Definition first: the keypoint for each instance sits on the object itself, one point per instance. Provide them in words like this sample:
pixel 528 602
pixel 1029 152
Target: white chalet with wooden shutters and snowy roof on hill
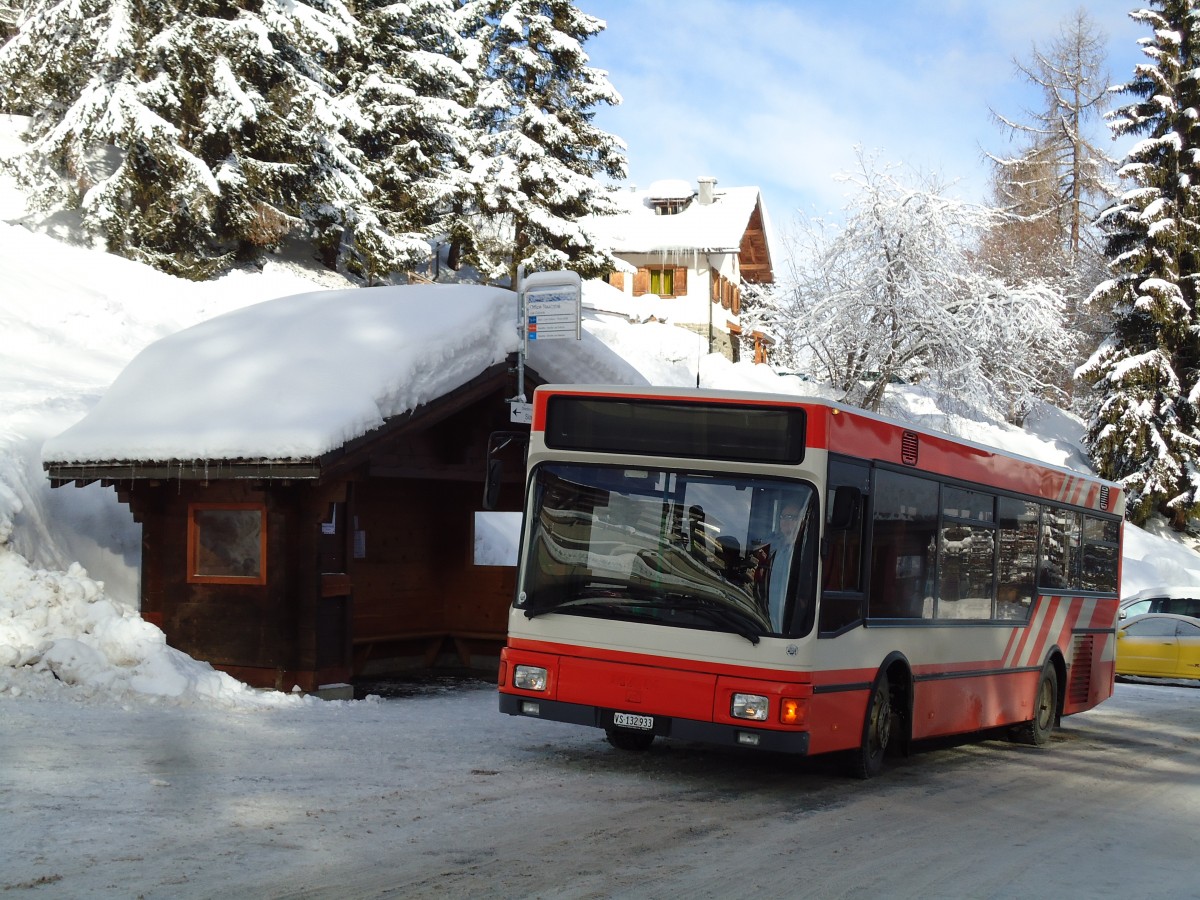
pixel 687 253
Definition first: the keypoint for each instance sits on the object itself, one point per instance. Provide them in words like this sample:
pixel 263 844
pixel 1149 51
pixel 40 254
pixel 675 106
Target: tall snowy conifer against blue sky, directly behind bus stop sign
pixel 538 157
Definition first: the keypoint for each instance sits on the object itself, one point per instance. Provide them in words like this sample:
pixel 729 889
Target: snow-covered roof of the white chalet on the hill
pixel 712 227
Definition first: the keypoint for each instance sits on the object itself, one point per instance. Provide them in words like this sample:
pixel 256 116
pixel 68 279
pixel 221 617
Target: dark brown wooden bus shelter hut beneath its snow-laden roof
pixel 314 572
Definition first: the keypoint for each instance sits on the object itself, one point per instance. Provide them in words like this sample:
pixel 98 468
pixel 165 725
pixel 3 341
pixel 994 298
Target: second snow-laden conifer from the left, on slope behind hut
pixel 263 86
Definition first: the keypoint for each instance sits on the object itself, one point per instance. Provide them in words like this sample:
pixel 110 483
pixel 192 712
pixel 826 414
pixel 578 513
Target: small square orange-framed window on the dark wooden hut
pixel 227 543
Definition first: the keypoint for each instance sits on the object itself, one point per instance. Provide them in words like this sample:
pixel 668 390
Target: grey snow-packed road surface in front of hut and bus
pixel 442 796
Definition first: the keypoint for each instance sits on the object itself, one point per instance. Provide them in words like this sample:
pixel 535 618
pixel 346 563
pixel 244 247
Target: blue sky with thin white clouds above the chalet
pixel 779 93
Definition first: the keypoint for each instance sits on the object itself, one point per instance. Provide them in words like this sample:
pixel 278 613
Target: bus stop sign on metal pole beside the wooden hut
pixel 550 308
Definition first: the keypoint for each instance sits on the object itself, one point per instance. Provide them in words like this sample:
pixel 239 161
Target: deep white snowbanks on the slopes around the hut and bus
pixel 71 321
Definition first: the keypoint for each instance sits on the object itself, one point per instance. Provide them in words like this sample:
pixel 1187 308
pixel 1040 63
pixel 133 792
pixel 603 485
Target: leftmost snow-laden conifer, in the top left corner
pixel 80 70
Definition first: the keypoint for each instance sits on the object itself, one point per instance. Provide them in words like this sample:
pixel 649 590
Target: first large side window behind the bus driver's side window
pixel 904 547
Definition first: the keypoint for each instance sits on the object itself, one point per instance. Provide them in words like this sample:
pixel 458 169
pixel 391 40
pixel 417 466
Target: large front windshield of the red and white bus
pixel 673 548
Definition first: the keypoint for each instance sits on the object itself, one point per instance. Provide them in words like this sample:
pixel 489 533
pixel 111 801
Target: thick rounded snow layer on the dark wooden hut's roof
pixel 299 376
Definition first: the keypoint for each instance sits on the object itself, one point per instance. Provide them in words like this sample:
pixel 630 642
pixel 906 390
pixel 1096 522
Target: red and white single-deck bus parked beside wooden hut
pixel 799 577
